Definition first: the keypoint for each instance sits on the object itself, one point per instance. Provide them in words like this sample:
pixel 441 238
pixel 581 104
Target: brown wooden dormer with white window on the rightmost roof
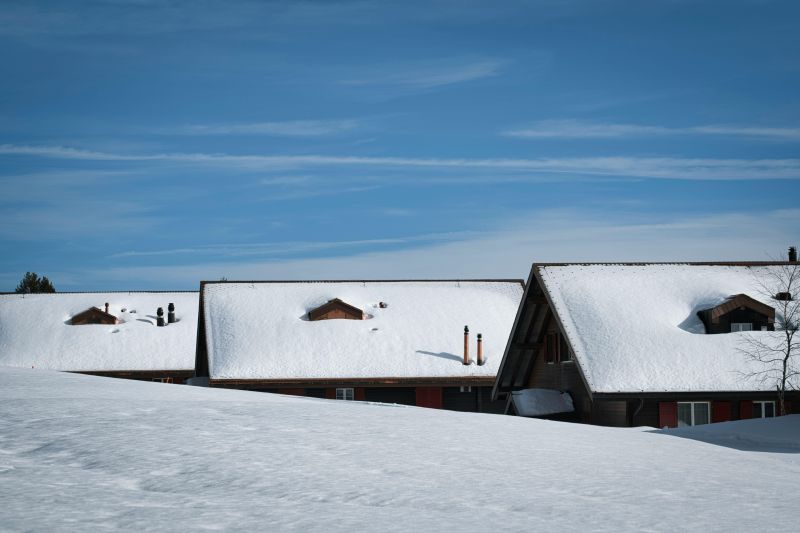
pixel 738 313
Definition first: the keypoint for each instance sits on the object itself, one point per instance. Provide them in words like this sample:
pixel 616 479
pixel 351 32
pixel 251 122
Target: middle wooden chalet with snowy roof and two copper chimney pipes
pixel 382 341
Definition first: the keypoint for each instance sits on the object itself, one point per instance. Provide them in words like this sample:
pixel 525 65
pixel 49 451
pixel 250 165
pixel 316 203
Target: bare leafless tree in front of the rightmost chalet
pixel 778 354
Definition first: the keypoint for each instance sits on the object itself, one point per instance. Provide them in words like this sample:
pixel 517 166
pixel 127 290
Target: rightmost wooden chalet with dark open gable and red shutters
pixel 644 344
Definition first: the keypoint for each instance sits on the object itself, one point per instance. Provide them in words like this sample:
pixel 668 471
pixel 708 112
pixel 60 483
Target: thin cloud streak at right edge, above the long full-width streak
pixel 577 129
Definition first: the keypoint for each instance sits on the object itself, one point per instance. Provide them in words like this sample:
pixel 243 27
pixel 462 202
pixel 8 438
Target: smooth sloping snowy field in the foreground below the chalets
pixel 84 453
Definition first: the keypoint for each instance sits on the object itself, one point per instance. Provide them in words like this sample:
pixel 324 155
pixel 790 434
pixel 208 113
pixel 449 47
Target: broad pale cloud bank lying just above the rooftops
pixel 557 235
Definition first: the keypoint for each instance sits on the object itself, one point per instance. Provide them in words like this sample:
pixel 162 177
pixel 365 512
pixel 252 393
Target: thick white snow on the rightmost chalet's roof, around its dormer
pixel 635 327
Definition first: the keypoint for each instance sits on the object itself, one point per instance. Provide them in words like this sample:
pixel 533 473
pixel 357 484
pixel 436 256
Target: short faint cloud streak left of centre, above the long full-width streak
pixel 291 128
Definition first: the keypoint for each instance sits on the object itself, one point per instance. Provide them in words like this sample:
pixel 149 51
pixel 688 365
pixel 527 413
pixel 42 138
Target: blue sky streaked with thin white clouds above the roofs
pixel 149 145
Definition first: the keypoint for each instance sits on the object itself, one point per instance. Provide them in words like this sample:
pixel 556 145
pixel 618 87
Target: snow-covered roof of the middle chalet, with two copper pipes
pixel 261 330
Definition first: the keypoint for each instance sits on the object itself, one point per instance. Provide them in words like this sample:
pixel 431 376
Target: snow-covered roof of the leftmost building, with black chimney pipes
pixel 35 332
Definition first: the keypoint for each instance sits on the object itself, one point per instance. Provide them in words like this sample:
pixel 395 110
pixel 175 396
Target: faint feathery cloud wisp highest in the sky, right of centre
pixel 429 74
